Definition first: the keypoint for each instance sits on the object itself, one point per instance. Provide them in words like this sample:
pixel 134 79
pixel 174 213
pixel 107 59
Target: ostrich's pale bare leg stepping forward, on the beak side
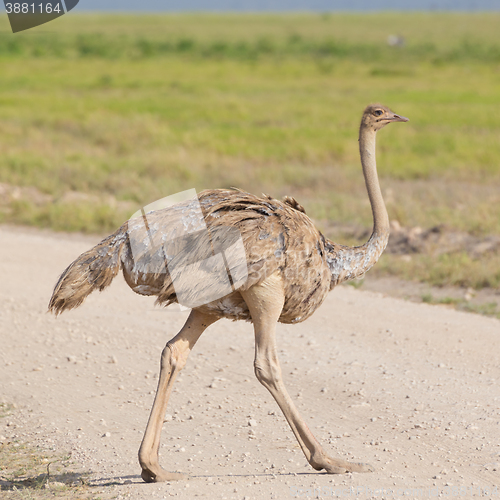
pixel 265 302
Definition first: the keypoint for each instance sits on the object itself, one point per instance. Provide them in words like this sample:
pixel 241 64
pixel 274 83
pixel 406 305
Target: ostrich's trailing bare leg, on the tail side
pixel 173 359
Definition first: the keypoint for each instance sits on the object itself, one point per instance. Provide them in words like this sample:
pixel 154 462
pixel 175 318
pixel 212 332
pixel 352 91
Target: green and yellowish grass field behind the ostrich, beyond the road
pixel 100 115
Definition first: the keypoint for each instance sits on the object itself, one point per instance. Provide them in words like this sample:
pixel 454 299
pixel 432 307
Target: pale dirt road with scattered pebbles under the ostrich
pixel 411 388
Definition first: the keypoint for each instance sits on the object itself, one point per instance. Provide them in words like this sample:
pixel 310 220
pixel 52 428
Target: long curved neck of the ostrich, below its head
pixel 351 262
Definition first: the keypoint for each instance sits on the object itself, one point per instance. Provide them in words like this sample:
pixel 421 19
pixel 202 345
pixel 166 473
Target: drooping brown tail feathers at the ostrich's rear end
pixel 93 270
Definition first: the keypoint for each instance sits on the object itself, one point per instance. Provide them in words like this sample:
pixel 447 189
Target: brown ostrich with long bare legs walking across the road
pixel 290 268
